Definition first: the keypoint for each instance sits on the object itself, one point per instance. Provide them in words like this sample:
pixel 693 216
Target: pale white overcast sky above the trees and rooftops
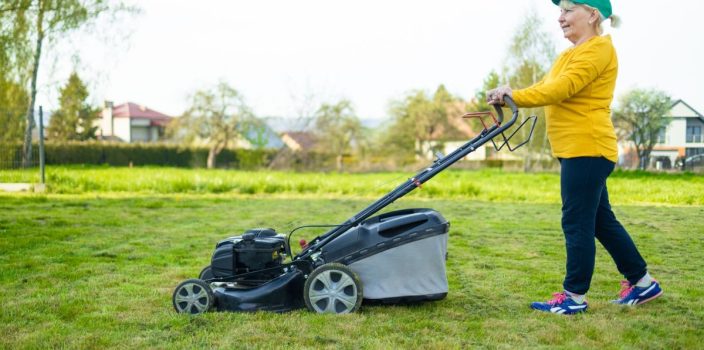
pixel 286 57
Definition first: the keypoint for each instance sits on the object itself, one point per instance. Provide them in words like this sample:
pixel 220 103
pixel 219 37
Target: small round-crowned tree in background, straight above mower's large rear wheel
pixel 337 129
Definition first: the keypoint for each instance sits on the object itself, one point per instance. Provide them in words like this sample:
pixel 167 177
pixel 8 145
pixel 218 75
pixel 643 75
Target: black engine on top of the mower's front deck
pixel 256 249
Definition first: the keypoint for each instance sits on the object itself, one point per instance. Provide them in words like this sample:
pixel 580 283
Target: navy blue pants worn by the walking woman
pixel 586 213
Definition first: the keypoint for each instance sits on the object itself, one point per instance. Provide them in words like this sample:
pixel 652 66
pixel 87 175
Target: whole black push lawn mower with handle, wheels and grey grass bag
pixel 398 256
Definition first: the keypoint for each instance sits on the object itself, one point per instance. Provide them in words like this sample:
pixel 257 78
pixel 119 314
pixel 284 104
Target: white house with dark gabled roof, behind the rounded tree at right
pixel 681 139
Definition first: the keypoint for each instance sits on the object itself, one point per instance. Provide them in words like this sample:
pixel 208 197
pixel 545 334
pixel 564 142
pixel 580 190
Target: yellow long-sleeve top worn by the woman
pixel 577 95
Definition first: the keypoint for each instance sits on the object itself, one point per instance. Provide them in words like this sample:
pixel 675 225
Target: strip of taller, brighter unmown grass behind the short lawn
pixel 485 185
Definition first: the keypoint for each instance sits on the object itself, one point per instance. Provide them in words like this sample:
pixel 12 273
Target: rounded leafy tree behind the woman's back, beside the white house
pixel 640 117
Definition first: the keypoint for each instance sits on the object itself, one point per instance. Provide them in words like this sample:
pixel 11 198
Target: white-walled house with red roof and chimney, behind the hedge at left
pixel 131 122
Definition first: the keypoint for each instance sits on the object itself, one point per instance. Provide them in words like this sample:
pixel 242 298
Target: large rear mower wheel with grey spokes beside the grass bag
pixel 333 288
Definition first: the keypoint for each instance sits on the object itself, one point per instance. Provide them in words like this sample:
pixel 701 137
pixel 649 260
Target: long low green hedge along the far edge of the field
pixel 140 154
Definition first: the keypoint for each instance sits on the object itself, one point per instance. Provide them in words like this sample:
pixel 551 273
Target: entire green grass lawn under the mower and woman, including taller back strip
pixel 95 266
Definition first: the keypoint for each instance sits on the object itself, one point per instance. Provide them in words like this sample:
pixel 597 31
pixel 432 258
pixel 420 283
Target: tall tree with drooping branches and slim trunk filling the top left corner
pixel 33 23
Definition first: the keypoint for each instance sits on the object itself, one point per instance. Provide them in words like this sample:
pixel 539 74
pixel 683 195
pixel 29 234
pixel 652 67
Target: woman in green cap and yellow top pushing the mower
pixel 577 94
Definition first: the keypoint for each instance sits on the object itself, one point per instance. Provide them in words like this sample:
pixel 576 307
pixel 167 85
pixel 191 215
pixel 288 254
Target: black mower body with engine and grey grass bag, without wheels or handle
pixel 399 257
